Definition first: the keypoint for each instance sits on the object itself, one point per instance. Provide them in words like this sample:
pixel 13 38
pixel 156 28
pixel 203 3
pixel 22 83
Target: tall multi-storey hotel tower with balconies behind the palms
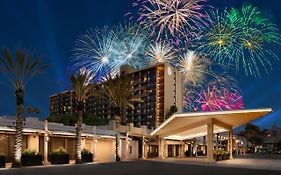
pixel 160 87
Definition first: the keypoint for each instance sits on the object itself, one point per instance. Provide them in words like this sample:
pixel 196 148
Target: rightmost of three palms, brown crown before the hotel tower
pixel 119 93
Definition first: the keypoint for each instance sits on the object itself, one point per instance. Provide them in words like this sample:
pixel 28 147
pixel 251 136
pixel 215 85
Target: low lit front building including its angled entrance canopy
pixel 182 135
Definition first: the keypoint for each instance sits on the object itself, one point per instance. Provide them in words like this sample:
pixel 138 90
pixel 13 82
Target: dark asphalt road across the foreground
pixel 139 167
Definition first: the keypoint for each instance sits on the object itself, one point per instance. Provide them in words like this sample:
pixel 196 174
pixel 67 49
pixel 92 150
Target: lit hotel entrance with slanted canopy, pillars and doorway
pixel 177 134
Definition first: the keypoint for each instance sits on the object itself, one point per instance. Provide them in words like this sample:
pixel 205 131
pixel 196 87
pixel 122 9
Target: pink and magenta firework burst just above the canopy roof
pixel 221 93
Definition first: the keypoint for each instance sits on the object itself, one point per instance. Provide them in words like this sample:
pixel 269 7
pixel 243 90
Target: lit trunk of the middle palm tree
pixel 78 136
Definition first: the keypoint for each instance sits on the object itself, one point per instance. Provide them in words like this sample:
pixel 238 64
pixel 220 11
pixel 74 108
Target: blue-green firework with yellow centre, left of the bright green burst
pixel 219 39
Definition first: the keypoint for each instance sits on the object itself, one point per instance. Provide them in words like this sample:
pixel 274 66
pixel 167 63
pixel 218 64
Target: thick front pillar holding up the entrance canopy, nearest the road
pixel 210 141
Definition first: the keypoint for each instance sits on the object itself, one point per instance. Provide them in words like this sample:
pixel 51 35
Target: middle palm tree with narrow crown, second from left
pixel 82 90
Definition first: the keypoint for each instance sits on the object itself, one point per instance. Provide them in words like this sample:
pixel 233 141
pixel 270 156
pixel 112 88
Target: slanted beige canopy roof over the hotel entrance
pixel 194 124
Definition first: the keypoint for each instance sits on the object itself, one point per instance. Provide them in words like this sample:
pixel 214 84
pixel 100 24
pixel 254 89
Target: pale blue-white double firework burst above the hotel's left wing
pixel 103 51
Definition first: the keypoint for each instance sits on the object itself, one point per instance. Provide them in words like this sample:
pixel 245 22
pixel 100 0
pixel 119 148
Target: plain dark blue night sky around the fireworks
pixel 51 27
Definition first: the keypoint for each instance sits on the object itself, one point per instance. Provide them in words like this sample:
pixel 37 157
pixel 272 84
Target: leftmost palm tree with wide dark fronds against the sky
pixel 19 69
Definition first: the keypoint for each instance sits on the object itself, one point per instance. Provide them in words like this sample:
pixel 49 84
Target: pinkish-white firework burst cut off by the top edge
pixel 170 17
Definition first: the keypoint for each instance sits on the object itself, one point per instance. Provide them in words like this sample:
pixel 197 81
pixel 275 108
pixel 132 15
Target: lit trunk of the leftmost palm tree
pixel 19 128
